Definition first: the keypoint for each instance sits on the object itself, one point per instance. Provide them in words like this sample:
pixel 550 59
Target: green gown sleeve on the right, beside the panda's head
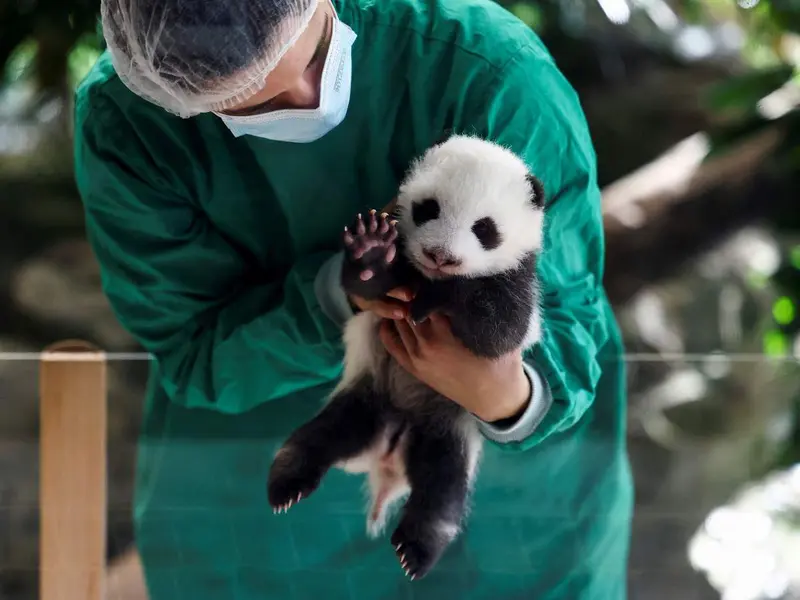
pixel 531 109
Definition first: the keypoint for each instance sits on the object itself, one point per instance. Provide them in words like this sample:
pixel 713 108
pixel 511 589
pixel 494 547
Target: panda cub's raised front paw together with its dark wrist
pixel 369 253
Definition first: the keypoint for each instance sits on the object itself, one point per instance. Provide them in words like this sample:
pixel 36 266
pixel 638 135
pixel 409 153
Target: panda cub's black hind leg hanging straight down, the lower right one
pixel 439 471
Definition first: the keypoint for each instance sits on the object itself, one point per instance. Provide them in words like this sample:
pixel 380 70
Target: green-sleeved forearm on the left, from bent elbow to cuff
pixel 263 344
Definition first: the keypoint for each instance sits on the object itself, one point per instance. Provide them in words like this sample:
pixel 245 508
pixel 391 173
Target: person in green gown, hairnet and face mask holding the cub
pixel 220 148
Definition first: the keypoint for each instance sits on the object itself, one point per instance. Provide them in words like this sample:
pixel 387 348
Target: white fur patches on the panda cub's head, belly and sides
pixel 470 178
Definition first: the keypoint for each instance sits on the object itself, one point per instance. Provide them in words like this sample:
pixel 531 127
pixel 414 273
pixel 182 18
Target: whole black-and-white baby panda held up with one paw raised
pixel 466 239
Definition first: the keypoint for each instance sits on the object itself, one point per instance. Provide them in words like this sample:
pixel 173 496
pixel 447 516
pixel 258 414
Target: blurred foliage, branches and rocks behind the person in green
pixel 693 105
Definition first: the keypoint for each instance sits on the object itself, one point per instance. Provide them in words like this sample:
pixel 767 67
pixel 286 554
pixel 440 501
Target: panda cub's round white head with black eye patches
pixel 469 208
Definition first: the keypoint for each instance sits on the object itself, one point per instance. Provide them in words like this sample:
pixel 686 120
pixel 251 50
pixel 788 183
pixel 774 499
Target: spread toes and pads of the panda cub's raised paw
pixel 370 243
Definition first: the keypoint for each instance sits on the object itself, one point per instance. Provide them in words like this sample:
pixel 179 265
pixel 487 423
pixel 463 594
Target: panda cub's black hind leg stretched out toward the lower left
pixel 346 427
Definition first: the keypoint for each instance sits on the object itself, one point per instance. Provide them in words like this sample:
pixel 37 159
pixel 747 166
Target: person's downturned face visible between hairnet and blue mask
pixel 295 81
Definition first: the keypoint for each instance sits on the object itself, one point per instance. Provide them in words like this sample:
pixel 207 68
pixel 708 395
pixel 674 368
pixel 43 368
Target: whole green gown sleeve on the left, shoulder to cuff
pixel 224 339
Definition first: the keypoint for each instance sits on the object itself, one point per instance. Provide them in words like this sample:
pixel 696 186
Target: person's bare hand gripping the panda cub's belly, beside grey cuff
pixel 490 389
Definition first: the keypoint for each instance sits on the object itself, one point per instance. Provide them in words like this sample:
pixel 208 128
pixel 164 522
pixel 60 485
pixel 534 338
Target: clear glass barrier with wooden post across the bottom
pixel 96 482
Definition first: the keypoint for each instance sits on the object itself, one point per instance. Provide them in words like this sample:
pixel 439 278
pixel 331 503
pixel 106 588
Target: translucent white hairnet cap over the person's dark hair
pixel 194 56
